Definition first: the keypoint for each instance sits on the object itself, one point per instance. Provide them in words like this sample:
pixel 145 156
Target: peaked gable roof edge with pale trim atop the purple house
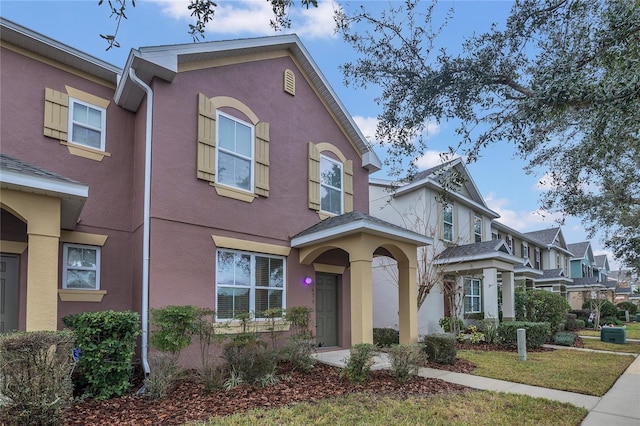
pixel 164 61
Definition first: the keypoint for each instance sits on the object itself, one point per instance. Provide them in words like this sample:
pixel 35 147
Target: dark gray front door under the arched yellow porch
pixel 326 310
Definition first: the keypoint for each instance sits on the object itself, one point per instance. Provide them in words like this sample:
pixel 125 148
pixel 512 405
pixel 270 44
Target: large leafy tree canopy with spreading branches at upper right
pixel 560 81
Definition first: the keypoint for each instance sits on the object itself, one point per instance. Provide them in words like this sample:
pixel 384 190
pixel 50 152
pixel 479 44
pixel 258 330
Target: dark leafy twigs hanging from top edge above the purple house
pixel 203 11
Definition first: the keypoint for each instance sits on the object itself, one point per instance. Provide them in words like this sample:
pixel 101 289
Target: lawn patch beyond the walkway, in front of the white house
pixel 588 373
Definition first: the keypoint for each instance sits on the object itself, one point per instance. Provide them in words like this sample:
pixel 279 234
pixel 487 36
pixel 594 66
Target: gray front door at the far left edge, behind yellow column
pixel 8 293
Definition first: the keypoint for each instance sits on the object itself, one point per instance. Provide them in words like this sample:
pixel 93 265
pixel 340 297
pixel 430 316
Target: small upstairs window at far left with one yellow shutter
pixel 87 124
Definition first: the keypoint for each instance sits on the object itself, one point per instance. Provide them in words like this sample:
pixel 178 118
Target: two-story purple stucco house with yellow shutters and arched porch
pixel 226 175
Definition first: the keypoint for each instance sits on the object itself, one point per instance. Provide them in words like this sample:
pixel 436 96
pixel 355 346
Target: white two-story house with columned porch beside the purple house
pixel 463 261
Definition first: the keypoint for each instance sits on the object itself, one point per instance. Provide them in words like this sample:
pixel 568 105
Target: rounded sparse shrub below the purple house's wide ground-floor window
pixel 250 359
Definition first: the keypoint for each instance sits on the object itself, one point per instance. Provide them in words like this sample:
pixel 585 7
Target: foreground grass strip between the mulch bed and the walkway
pixel 469 408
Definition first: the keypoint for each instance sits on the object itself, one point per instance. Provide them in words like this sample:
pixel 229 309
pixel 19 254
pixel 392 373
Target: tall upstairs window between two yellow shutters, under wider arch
pixel 235 152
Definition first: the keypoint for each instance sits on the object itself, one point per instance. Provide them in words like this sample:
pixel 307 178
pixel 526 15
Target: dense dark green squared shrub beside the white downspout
pixel 106 341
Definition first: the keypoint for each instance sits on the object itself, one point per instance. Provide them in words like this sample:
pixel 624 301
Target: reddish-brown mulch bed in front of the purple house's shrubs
pixel 188 402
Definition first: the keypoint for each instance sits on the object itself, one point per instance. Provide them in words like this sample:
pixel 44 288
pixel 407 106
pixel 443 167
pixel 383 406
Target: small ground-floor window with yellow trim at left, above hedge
pixel 81 267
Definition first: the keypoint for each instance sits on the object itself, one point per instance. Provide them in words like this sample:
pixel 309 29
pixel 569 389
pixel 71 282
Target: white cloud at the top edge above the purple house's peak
pixel 252 17
